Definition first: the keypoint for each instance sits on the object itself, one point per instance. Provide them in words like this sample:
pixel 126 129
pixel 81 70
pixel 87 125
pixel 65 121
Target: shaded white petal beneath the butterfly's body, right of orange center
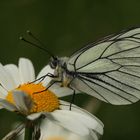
pixel 61 91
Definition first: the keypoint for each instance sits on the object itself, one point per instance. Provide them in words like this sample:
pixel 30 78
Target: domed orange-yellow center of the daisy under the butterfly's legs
pixel 44 101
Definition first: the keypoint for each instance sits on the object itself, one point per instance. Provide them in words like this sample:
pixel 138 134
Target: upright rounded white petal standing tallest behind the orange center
pixel 26 70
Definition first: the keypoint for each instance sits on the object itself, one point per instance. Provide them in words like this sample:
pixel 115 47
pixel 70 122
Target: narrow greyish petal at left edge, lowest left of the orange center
pixel 7 105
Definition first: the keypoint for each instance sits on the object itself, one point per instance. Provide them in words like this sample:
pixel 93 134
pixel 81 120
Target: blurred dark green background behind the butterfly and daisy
pixel 65 26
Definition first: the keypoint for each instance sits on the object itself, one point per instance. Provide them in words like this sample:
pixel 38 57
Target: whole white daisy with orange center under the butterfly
pixel 18 93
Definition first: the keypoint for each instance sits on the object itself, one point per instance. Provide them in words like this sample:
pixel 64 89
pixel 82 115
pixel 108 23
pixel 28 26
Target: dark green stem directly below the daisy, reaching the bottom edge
pixel 29 128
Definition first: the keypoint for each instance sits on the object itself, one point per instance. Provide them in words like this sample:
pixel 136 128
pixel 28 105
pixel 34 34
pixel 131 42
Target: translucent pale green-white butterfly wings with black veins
pixel 110 69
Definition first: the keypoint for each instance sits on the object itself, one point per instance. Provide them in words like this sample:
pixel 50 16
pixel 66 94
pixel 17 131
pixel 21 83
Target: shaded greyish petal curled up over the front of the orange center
pixel 22 101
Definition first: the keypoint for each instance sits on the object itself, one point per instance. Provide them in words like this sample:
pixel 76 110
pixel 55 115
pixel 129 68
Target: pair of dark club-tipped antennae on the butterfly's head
pixel 36 45
